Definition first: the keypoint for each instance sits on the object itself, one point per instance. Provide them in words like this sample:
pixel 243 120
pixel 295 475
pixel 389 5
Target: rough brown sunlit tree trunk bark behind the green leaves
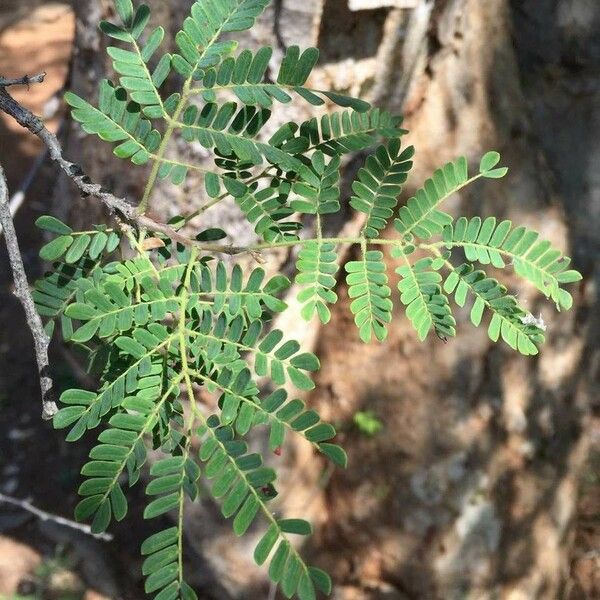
pixel 471 488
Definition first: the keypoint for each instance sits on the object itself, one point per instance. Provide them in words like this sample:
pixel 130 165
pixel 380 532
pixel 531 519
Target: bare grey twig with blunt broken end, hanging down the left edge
pixel 40 338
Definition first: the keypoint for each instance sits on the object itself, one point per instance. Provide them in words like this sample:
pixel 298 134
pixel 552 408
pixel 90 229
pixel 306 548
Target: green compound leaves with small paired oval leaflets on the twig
pixel 172 319
